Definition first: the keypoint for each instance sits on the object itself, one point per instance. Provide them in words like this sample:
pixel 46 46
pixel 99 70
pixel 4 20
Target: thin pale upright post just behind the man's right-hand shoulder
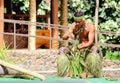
pixel 96 20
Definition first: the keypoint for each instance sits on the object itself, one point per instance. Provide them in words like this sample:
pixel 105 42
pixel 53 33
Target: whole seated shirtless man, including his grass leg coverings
pixel 84 32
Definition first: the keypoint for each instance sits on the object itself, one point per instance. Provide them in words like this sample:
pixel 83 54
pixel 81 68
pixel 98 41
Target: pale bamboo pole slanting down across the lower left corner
pixel 6 64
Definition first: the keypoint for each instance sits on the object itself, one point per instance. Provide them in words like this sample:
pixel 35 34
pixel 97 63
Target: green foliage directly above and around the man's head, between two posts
pixel 84 5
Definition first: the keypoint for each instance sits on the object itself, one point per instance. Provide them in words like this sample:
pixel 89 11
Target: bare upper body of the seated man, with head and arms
pixel 85 31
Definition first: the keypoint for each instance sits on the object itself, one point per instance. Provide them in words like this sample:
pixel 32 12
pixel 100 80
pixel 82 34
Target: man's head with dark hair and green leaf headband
pixel 78 18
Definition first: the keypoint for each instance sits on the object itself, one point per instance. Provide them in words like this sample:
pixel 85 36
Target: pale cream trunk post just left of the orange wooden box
pixel 32 28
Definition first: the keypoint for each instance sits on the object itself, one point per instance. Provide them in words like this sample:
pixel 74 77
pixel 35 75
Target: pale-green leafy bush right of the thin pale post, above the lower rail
pixel 109 19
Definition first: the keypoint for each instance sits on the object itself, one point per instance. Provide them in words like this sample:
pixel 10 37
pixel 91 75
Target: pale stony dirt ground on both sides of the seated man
pixel 44 61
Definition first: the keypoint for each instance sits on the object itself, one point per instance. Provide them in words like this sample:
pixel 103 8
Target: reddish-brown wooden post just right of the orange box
pixel 54 20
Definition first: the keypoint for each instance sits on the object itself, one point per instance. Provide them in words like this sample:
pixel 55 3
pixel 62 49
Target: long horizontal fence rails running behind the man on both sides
pixel 59 27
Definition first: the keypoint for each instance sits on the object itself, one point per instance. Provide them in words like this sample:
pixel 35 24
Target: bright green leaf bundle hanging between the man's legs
pixel 76 64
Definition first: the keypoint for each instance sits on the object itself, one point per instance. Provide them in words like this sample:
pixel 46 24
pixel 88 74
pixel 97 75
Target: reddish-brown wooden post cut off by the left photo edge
pixel 1 23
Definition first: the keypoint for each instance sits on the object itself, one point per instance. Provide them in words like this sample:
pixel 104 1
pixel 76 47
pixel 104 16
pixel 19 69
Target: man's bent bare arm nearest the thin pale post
pixel 91 36
